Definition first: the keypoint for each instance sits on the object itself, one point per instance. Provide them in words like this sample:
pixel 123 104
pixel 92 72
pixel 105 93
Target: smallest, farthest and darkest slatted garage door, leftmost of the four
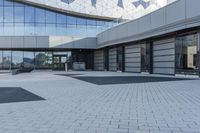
pixel 99 60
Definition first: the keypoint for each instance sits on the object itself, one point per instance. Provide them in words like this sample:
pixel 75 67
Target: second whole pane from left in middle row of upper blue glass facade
pixel 19 14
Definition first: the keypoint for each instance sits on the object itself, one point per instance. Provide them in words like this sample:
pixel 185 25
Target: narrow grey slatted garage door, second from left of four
pixel 113 59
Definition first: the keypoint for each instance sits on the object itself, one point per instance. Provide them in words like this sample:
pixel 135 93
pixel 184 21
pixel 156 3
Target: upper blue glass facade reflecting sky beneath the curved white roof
pixel 20 19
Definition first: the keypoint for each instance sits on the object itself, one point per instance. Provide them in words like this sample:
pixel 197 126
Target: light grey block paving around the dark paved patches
pixel 75 106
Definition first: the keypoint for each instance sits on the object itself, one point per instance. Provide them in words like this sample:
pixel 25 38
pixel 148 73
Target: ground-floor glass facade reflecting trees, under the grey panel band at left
pixel 29 59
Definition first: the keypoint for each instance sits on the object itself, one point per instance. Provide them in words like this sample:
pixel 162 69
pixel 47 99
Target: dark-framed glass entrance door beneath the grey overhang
pixel 59 62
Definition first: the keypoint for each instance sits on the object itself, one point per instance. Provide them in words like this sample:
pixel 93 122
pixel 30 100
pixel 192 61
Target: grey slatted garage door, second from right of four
pixel 133 58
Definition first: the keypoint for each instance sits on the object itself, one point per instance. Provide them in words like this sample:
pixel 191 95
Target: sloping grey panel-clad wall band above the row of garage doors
pixel 176 16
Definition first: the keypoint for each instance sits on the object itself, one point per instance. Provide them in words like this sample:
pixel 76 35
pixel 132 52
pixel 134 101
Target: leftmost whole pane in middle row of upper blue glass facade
pixel 8 14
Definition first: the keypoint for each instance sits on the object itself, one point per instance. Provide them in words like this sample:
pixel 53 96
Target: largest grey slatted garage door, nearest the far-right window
pixel 164 57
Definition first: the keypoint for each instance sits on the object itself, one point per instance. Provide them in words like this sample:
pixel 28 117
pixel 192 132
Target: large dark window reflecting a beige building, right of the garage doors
pixel 186 54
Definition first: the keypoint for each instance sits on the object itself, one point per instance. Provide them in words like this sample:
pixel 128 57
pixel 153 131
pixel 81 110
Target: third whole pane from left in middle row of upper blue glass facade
pixel 29 14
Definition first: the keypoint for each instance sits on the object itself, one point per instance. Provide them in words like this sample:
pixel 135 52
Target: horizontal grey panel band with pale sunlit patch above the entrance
pixel 12 42
